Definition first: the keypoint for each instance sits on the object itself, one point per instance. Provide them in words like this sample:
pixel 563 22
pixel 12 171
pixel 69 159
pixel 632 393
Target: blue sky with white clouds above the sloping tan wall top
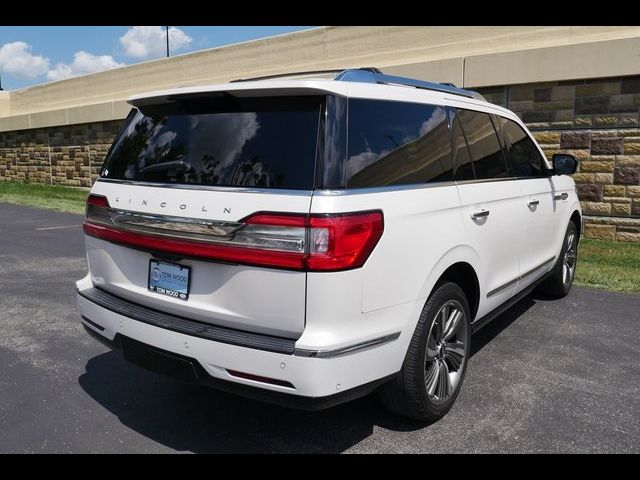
pixel 34 55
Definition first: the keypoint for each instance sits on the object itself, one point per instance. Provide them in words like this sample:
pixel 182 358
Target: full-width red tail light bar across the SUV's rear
pixel 289 241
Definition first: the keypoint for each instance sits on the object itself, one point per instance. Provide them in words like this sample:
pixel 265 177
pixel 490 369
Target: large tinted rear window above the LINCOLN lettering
pixel 221 141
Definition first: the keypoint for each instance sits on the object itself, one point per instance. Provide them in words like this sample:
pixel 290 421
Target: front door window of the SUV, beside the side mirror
pixel 522 155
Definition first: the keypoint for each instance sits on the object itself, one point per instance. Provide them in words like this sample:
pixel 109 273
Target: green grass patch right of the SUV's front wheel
pixel 609 265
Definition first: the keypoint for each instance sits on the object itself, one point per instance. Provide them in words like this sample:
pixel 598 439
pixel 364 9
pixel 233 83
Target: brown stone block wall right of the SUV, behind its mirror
pixel 597 122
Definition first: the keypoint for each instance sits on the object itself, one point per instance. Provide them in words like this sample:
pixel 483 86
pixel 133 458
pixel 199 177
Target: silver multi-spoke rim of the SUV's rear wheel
pixel 446 347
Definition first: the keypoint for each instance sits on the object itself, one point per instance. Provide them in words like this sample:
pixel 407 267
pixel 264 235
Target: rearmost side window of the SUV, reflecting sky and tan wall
pixel 394 143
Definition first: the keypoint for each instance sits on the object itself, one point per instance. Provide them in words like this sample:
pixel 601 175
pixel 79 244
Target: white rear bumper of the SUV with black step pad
pixel 297 379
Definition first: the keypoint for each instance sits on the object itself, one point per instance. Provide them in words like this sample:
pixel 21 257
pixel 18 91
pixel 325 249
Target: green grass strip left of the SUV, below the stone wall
pixel 54 197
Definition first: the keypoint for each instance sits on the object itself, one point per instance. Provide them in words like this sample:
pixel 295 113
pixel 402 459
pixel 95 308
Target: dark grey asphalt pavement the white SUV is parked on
pixel 547 376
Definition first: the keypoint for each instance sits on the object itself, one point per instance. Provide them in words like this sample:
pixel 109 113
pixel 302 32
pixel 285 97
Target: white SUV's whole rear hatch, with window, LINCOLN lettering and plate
pixel 193 191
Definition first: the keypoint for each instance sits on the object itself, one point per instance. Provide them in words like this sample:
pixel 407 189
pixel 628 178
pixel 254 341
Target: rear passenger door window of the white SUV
pixel 486 152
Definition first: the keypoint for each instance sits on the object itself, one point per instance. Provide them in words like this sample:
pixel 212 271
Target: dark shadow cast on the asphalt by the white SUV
pixel 198 419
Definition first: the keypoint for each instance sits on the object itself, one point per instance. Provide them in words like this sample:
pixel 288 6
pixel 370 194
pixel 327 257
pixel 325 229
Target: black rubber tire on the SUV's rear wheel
pixel 407 394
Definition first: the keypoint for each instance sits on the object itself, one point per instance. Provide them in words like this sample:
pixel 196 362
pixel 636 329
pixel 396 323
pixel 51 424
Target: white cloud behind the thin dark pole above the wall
pixel 150 42
